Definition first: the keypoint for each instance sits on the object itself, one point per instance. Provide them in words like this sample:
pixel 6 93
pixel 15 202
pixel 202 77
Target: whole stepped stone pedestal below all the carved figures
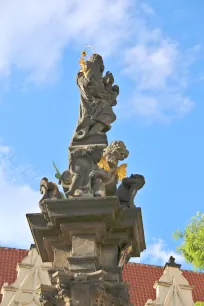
pixel 83 238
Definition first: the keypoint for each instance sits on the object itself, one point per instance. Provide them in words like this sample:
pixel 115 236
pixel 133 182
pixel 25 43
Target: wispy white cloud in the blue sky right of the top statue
pixel 161 72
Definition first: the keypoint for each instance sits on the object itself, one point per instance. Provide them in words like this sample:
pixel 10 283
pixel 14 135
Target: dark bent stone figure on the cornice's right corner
pixel 128 189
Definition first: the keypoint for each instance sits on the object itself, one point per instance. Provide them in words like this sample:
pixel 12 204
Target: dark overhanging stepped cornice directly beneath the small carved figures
pixel 67 217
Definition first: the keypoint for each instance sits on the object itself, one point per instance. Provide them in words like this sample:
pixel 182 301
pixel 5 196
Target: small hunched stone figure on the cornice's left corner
pixel 49 190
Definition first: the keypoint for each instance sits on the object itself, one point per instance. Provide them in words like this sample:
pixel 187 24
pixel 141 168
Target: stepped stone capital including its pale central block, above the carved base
pixel 86 227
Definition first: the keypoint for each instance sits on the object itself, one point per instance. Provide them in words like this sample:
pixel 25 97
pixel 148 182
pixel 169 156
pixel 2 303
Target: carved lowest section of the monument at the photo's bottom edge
pixel 85 289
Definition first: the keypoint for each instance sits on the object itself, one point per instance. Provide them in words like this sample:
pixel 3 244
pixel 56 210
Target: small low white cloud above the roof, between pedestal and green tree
pixel 158 253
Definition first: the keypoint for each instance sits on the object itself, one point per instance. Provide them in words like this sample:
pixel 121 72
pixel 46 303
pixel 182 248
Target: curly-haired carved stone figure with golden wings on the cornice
pixel 107 173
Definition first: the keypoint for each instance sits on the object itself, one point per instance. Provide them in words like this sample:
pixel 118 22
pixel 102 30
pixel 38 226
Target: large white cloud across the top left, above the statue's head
pixel 34 34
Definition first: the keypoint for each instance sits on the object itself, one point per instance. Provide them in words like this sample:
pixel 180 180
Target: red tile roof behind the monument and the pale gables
pixel 140 276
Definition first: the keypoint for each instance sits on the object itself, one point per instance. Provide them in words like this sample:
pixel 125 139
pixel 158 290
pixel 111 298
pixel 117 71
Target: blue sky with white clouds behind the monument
pixel 155 50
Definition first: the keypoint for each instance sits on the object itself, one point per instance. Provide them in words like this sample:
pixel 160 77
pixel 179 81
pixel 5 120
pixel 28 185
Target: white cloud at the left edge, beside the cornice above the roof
pixel 16 199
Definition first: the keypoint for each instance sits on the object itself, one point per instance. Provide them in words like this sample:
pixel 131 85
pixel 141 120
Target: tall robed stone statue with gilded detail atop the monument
pixel 97 98
